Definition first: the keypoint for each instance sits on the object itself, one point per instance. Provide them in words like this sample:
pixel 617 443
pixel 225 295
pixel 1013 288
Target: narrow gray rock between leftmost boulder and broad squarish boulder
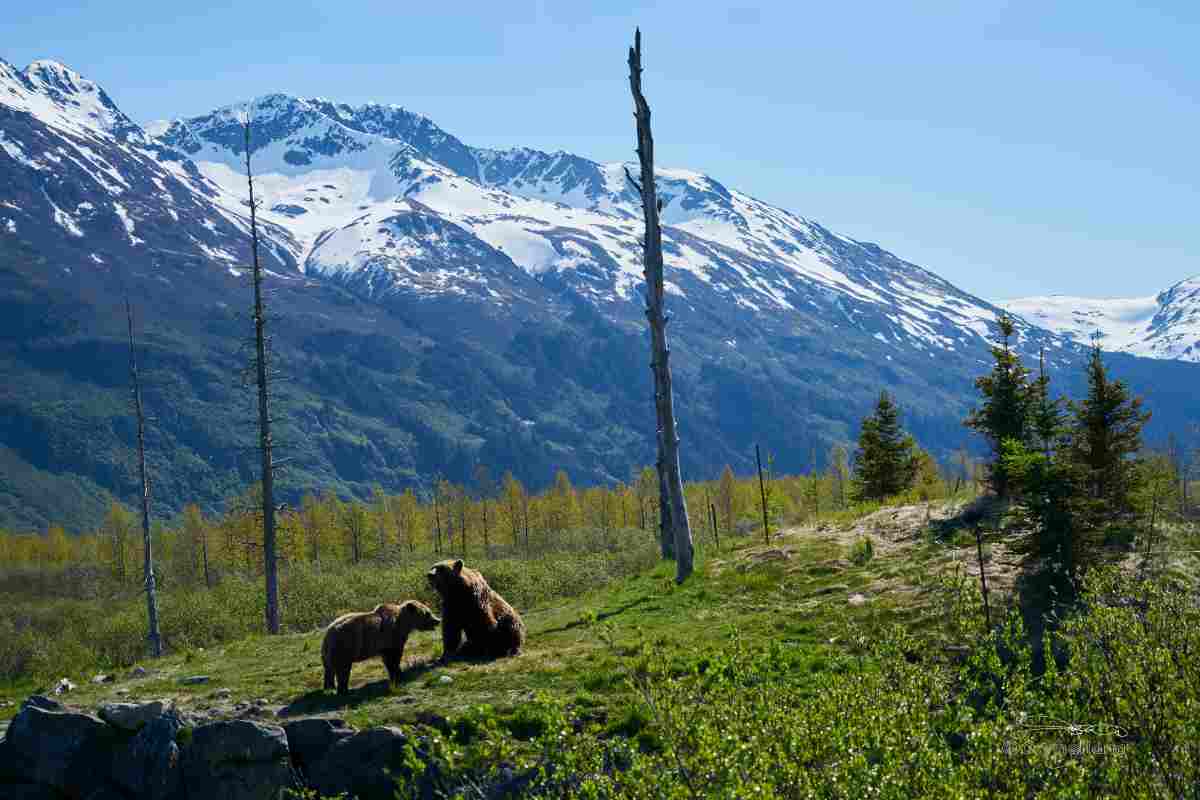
pixel 148 766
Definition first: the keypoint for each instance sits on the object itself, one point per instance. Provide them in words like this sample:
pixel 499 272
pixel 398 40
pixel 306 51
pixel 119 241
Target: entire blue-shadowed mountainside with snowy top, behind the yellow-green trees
pixel 437 306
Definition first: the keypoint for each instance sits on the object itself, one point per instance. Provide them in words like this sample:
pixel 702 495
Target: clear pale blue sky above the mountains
pixel 1015 148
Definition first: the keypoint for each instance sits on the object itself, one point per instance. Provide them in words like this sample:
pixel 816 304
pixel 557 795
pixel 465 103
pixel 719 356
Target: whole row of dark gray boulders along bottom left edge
pixel 153 751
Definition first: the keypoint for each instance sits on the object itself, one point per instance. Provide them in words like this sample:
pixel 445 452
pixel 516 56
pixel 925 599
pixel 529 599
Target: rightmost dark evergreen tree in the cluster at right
pixel 1106 432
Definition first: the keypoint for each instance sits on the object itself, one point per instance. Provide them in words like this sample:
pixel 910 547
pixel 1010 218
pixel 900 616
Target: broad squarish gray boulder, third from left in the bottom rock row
pixel 239 761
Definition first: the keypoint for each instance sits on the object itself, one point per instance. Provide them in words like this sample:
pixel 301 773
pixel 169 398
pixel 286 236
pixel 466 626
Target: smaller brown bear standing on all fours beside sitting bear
pixel 382 631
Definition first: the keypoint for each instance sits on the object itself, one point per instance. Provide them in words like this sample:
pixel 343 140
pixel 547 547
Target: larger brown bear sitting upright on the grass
pixel 471 607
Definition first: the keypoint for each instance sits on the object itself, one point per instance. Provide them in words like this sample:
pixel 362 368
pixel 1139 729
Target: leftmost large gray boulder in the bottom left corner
pixel 57 748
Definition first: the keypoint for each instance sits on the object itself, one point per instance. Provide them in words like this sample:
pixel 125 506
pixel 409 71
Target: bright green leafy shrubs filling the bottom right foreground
pixel 1114 717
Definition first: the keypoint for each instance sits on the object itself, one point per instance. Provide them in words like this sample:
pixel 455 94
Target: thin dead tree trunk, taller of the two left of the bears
pixel 271 567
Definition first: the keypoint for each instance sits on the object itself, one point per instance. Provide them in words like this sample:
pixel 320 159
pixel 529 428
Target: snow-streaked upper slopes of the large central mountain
pixel 334 176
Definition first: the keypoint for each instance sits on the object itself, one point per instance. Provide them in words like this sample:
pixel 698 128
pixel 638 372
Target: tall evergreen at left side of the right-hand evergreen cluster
pixel 1005 413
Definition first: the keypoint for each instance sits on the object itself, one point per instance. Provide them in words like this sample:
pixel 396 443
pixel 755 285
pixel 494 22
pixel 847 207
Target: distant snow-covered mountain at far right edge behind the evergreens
pixel 1166 326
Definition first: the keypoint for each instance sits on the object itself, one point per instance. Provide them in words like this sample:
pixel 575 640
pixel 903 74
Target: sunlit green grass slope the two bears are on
pixel 578 646
